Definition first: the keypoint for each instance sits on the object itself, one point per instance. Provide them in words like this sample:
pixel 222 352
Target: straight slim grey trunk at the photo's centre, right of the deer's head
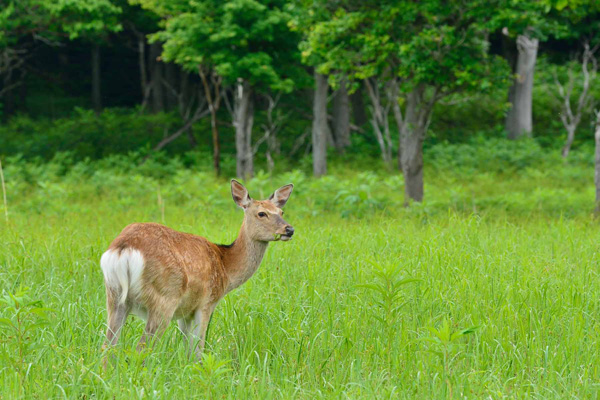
pixel 320 129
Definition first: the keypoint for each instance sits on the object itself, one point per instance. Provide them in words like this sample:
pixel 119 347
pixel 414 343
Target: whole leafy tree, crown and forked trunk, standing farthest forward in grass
pixel 426 51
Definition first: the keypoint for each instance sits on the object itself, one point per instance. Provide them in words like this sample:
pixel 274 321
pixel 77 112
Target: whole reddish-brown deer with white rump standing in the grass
pixel 160 274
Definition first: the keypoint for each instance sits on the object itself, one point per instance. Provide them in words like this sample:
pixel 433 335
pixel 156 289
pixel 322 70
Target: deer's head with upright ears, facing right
pixel 263 219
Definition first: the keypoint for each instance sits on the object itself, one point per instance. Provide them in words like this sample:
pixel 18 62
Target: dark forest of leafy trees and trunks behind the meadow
pixel 272 83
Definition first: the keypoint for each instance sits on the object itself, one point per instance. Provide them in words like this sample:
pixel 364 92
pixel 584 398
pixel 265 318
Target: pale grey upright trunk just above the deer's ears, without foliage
pixel 243 120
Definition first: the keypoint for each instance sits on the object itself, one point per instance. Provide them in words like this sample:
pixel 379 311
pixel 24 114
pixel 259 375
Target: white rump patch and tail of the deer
pixel 123 272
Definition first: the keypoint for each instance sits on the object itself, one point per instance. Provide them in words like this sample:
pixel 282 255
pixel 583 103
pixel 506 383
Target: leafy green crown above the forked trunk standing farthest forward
pixel 435 43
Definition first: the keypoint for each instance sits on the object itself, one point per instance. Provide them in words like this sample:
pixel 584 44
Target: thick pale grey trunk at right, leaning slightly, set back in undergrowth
pixel 518 119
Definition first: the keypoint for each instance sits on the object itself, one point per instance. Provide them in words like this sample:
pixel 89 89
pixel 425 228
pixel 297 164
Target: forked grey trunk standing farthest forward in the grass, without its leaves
pixel 413 132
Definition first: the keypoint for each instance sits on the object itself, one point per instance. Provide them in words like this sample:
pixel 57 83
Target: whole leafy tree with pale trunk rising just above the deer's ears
pixel 245 42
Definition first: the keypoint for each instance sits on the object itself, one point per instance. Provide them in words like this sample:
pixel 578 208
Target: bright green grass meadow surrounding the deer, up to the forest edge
pixel 490 289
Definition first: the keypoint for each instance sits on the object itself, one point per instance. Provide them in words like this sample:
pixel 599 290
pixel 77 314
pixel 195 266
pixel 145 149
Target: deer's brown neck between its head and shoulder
pixel 242 259
